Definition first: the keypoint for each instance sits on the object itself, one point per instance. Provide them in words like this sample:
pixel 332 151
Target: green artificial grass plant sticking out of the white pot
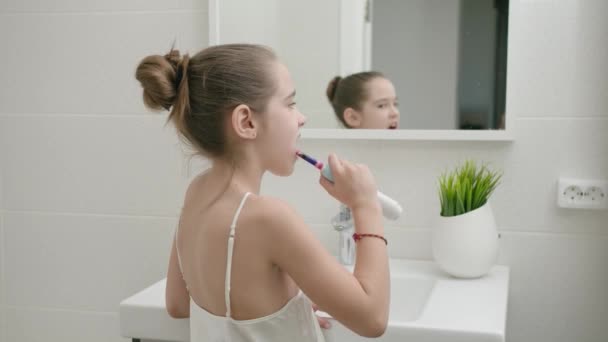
pixel 466 188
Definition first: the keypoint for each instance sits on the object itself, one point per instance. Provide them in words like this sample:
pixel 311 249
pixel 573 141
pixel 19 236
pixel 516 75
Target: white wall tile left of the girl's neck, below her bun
pixel 63 163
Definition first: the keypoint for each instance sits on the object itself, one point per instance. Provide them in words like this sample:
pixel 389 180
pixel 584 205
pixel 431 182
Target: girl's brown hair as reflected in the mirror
pixel 349 92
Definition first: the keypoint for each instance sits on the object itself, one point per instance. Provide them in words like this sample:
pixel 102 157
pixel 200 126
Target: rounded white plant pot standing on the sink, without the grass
pixel 466 246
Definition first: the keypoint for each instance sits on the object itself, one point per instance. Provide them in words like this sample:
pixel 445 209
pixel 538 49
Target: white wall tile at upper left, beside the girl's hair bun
pixel 84 63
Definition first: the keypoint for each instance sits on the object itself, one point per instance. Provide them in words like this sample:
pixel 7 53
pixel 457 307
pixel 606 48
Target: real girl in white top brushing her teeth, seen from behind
pixel 245 267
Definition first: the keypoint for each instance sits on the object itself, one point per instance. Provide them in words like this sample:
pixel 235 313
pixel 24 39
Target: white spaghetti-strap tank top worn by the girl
pixel 294 322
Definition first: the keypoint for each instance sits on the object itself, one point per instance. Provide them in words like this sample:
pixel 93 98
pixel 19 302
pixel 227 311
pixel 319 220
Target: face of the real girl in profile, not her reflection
pixel 281 124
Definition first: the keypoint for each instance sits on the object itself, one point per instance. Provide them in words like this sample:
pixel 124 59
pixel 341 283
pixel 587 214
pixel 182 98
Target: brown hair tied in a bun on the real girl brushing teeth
pixel 200 91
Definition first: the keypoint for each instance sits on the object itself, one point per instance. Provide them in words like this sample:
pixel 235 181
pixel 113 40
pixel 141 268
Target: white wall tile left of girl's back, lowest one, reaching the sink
pixel 82 262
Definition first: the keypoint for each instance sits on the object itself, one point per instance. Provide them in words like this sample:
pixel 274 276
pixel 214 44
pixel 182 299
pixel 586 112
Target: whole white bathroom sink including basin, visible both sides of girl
pixel 426 305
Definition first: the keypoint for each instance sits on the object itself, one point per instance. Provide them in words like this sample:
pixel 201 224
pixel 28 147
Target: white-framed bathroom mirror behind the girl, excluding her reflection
pixel 446 58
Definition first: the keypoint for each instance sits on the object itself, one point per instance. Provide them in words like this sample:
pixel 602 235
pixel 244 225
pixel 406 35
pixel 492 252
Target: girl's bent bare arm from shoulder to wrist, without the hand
pixel 360 301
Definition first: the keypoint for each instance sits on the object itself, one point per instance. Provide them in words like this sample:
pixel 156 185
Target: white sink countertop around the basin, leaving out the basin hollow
pixel 454 307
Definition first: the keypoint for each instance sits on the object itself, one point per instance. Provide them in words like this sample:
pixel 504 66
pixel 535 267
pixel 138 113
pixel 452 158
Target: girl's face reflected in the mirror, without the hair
pixel 380 109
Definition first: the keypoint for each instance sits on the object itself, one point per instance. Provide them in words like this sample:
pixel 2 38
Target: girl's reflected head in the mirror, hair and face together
pixel 364 100
